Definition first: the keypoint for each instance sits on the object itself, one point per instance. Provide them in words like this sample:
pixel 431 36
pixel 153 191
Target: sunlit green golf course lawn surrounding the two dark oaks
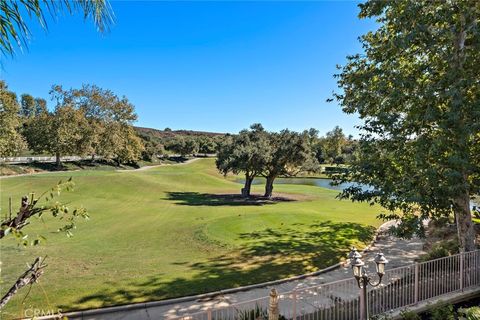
pixel 173 231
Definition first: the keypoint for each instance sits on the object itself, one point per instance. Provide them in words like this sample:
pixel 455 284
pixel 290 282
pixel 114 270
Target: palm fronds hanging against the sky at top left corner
pixel 16 14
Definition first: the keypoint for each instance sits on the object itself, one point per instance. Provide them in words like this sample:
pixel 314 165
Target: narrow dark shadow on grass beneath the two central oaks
pixel 210 199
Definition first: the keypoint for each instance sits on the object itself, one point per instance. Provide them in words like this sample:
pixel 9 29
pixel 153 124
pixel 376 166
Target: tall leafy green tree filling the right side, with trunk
pixel 418 91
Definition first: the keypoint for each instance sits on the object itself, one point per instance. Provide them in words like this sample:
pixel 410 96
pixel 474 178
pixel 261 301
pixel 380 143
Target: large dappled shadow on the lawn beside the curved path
pixel 266 255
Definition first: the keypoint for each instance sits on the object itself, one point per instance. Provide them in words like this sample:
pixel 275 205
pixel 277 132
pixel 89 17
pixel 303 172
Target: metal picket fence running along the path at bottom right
pixel 341 300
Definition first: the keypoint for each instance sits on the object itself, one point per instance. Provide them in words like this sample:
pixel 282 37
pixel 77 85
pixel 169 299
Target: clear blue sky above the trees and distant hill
pixel 213 66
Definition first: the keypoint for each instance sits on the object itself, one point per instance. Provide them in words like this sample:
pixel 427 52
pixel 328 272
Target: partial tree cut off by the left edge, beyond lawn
pixel 11 141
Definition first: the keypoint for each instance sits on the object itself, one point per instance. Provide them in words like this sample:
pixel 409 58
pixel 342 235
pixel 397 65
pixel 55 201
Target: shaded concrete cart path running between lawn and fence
pixel 398 251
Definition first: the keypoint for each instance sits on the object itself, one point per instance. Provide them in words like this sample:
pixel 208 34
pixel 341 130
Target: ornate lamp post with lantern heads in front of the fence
pixel 363 279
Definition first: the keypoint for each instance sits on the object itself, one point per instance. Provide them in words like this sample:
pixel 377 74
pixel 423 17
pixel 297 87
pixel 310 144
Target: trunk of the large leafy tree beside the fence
pixel 465 227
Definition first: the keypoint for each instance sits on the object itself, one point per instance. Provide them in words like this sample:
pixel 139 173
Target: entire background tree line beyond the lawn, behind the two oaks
pixel 91 121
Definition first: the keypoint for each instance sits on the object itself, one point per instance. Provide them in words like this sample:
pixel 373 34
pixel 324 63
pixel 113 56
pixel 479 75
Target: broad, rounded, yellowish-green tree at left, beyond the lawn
pixel 86 121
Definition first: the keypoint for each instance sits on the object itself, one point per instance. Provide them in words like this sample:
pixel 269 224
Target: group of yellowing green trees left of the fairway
pixel 86 121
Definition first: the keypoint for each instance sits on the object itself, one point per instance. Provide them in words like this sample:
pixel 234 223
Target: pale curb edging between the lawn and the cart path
pixel 146 305
